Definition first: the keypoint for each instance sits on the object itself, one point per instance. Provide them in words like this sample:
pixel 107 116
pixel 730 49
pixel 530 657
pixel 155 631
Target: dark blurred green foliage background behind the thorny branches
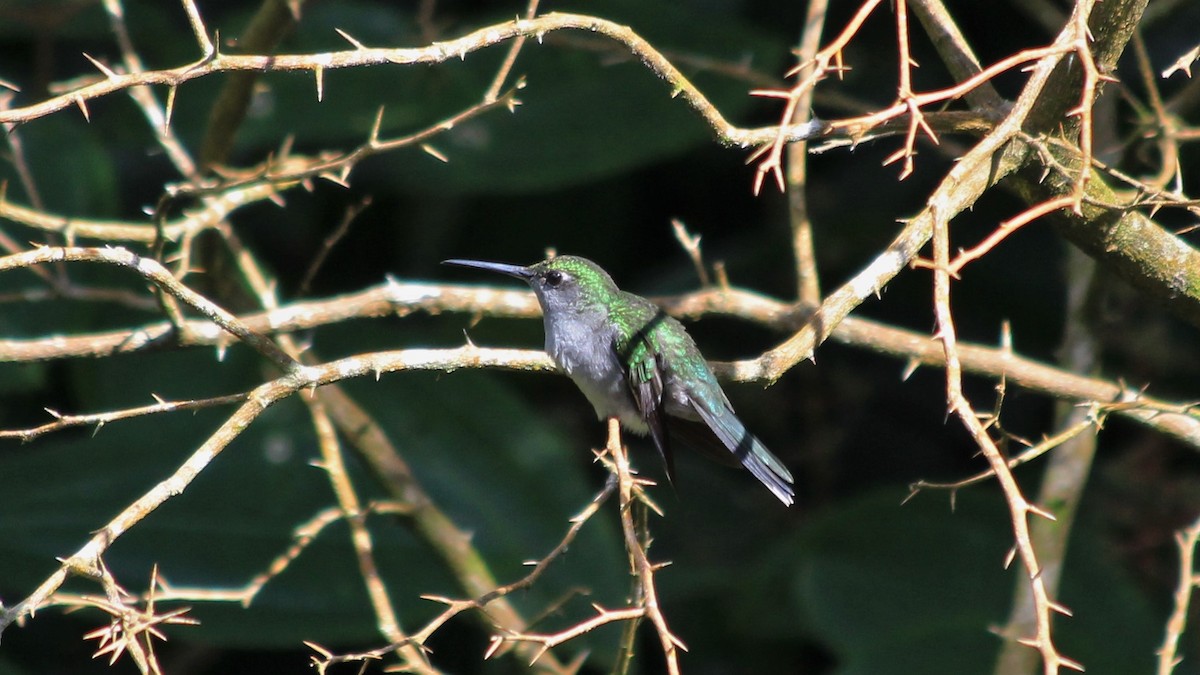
pixel 596 162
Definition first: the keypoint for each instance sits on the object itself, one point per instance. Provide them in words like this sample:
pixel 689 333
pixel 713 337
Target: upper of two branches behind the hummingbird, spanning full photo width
pixel 403 298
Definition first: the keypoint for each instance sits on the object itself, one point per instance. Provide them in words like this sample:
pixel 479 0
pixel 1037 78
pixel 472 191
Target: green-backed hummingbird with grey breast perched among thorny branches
pixel 638 365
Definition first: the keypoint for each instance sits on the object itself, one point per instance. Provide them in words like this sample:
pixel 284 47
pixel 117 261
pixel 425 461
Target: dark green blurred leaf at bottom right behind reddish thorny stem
pixel 919 588
